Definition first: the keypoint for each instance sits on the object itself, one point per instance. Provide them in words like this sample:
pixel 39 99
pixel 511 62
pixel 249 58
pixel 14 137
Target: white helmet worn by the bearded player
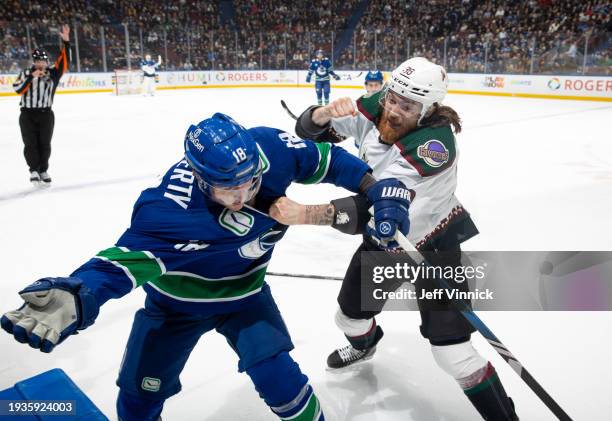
pixel 420 80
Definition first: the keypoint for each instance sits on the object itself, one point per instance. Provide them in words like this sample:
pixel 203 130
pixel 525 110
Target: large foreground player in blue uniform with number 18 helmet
pixel 199 244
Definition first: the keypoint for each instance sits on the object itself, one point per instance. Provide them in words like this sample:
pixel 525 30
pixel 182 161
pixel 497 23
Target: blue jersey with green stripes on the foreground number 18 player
pixel 194 255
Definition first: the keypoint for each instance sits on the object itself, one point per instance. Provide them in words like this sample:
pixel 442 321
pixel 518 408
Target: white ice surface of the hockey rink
pixel 535 175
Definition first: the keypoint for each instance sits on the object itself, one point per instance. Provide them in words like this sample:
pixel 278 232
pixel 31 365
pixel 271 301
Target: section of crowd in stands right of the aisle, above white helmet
pixel 505 31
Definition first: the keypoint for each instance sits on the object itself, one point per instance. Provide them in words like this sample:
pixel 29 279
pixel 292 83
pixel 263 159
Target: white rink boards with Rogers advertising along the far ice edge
pixel 527 86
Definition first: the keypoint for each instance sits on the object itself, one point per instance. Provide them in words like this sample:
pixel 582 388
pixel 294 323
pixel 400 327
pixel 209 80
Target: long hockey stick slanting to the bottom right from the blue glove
pixel 498 345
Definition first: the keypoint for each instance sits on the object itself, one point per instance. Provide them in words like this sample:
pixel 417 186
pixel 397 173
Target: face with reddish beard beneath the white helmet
pixel 399 117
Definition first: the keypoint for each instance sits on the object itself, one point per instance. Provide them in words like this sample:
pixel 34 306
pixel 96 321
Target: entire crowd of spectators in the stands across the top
pixel 494 36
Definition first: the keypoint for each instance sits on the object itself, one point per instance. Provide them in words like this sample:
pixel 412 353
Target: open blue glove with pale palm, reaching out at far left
pixel 54 309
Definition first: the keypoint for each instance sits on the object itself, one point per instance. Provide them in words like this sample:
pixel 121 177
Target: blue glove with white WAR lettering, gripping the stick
pixel 391 200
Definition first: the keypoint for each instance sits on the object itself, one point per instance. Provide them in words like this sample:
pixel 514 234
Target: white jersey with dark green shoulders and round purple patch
pixel 425 161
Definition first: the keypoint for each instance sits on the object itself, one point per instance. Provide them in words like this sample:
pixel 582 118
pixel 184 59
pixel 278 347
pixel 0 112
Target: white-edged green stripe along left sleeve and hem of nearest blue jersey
pixel 143 267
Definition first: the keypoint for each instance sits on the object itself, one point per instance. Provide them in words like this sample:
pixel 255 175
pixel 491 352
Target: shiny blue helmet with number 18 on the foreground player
pixel 221 153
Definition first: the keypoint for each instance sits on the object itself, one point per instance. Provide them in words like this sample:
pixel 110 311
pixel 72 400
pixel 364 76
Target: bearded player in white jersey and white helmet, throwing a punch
pixel 404 131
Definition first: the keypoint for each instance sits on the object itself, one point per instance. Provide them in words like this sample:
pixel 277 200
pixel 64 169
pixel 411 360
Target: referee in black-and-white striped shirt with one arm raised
pixel 37 86
